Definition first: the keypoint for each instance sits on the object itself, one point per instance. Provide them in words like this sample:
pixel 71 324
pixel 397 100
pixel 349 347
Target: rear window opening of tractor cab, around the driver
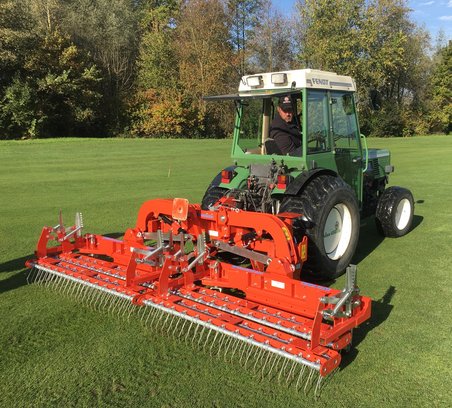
pixel 257 116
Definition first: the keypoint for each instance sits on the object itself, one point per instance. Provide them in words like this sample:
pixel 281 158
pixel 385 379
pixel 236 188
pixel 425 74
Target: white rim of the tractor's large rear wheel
pixel 337 232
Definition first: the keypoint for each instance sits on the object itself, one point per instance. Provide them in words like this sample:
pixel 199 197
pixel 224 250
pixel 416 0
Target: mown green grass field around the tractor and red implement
pixel 55 352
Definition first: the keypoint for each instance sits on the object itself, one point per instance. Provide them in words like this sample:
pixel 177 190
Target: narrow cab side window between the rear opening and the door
pixel 317 120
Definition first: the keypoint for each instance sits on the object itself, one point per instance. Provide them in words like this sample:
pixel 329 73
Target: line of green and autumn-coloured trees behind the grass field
pixel 140 68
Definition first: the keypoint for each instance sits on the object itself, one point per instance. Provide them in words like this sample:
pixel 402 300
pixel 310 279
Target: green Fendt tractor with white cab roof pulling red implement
pixel 333 180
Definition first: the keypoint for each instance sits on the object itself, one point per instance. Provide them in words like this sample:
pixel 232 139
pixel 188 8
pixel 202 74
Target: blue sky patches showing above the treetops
pixel 432 14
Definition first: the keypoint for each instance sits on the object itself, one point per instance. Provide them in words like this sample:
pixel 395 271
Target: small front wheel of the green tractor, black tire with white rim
pixel 394 214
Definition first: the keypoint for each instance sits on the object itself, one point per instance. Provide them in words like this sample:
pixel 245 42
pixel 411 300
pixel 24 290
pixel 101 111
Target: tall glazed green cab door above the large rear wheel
pixel 344 132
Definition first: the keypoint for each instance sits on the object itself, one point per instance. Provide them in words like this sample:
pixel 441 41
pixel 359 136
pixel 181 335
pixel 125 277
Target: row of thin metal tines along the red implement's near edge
pixel 262 361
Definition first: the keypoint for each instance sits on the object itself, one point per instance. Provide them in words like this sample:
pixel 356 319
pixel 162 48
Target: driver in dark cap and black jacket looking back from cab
pixel 284 130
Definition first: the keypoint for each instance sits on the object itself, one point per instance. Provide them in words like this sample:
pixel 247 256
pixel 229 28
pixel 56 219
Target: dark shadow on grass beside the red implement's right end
pixel 381 309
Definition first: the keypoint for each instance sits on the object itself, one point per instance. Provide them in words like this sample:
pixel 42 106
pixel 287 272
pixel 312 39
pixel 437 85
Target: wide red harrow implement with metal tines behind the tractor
pixel 224 278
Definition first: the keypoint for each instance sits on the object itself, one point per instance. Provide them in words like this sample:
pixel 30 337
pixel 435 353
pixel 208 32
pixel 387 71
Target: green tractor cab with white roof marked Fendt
pixel 323 108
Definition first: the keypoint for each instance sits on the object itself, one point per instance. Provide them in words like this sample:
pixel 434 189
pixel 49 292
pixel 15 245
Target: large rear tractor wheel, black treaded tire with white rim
pixel 327 201
